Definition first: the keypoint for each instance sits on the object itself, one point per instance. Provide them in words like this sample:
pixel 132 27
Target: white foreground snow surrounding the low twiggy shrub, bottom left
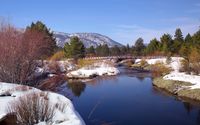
pixel 12 92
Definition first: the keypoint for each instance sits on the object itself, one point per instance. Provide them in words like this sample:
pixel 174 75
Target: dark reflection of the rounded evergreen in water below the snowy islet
pixel 77 87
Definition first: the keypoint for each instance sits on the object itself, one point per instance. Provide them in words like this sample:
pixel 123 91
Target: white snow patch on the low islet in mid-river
pixel 97 69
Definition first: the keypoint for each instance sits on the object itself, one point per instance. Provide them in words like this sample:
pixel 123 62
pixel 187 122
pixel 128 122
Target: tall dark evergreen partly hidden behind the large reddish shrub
pixel 41 27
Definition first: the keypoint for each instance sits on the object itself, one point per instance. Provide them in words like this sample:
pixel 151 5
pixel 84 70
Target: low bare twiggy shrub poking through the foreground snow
pixel 32 109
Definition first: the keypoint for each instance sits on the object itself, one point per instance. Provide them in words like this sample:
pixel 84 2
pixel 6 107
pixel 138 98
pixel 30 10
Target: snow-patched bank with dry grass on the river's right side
pixel 177 83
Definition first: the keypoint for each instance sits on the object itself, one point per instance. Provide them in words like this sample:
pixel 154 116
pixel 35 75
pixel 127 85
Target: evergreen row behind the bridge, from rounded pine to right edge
pixel 167 45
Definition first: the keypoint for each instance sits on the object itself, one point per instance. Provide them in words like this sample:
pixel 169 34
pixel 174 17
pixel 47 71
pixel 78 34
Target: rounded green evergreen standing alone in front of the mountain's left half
pixel 75 49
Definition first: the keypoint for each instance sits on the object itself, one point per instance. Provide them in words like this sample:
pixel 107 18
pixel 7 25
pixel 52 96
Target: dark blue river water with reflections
pixel 128 99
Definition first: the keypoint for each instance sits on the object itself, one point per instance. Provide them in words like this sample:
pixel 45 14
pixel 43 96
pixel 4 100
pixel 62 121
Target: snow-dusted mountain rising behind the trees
pixel 88 39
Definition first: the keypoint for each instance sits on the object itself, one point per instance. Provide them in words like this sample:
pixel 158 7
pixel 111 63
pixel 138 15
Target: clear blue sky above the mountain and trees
pixel 121 20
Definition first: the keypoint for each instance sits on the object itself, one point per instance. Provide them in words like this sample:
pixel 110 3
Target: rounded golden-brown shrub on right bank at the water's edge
pixel 159 69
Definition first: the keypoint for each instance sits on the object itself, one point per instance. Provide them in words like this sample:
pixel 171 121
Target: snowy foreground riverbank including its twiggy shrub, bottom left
pixel 50 108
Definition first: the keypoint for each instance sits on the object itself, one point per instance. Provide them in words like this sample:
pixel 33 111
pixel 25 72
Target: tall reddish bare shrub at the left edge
pixel 18 52
